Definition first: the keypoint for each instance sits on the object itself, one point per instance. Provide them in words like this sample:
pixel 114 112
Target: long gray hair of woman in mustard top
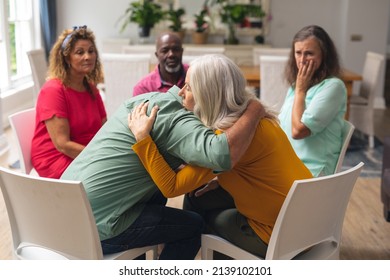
pixel 220 91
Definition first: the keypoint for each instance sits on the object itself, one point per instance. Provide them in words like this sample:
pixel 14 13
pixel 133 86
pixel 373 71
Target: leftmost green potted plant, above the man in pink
pixel 145 13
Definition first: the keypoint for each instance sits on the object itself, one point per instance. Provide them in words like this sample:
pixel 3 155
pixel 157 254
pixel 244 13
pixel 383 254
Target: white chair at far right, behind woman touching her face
pixel 361 106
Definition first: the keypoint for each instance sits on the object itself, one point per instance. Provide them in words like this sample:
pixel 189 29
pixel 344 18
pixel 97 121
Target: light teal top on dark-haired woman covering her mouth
pixel 324 116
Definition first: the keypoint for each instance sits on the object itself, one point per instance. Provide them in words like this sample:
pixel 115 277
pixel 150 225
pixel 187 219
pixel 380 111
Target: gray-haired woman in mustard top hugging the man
pixel 244 208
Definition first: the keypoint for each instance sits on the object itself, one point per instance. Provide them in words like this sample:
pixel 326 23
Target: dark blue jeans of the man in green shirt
pixel 178 229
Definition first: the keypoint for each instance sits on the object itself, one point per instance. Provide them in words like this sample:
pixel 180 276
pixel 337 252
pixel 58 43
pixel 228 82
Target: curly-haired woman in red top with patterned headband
pixel 69 109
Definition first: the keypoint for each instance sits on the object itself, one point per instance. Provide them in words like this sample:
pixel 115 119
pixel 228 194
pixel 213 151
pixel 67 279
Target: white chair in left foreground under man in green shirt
pixel 52 219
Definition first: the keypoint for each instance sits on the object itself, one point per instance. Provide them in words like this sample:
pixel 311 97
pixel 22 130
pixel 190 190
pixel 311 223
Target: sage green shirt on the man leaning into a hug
pixel 116 183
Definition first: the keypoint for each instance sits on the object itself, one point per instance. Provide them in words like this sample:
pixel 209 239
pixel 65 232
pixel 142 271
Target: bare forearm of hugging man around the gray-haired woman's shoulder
pixel 241 133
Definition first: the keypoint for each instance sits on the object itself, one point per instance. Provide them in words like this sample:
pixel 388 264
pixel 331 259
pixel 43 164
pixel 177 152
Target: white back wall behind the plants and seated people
pixel 341 19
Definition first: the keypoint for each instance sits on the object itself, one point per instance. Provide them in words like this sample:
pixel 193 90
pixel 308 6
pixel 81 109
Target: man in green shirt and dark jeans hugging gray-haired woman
pixel 129 209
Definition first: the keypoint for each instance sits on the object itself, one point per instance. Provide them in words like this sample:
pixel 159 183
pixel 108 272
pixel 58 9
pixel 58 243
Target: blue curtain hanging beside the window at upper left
pixel 48 15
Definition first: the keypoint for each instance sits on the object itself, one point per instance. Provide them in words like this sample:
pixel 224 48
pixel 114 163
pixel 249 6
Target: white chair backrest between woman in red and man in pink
pixel 121 74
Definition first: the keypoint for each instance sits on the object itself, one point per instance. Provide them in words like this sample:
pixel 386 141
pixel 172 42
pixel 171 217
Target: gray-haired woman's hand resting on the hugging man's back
pixel 139 123
